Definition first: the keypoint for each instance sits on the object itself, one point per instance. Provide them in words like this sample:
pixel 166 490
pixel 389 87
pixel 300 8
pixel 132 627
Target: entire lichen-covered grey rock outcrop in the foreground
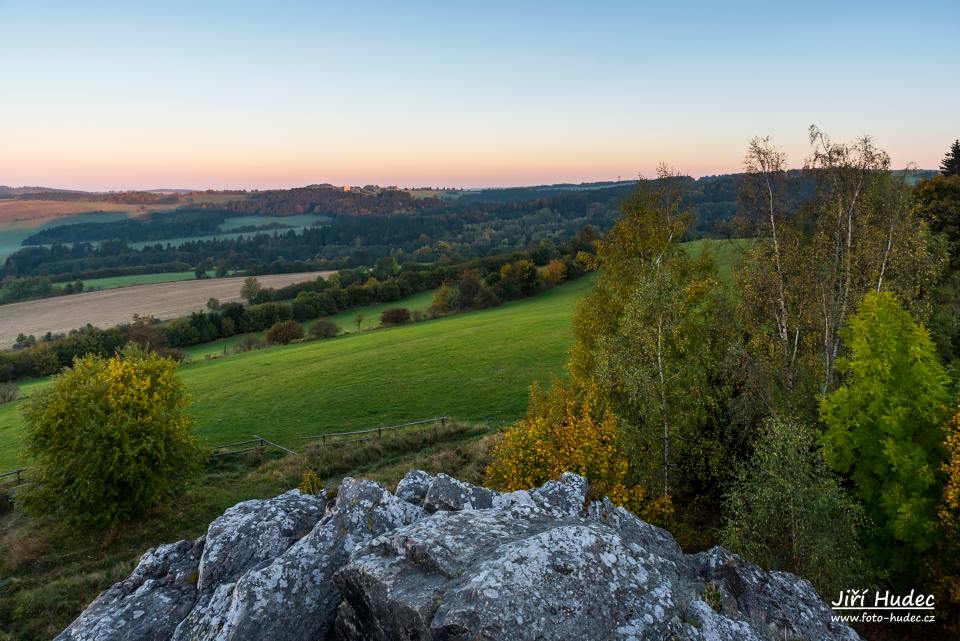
pixel 444 560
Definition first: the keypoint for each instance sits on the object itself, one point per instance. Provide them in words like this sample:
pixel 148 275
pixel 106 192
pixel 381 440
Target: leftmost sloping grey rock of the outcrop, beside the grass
pixel 148 604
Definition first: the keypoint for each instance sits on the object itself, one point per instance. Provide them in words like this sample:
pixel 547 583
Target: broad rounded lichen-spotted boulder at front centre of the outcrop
pixel 514 573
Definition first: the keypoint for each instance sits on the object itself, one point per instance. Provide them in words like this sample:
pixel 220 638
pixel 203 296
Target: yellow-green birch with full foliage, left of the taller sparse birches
pixel 651 335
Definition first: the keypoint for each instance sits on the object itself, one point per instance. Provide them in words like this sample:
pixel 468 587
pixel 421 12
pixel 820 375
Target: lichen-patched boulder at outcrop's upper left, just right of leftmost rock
pixel 255 531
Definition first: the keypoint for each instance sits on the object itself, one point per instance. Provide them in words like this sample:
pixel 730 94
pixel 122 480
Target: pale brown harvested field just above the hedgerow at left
pixel 113 306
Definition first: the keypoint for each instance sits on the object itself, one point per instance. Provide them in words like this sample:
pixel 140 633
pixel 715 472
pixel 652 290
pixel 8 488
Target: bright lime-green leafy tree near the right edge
pixel 884 422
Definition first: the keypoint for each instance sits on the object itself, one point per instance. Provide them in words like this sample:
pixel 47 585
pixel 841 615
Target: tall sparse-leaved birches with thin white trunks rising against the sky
pixel 815 260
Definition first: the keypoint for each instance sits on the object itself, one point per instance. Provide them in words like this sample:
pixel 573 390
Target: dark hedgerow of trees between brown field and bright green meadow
pixel 478 283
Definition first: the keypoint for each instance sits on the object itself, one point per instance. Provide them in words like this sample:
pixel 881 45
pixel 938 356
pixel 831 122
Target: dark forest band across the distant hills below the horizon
pixel 358 228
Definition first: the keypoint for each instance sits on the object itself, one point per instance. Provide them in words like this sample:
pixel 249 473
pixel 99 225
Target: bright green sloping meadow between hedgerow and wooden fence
pixel 475 366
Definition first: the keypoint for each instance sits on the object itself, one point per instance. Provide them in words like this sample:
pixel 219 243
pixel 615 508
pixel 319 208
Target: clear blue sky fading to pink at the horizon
pixel 243 95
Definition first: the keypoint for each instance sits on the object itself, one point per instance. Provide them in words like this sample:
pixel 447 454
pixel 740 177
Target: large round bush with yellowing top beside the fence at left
pixel 110 438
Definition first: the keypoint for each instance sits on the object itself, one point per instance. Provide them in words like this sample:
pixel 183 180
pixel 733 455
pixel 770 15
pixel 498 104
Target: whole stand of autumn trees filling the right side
pixel 804 414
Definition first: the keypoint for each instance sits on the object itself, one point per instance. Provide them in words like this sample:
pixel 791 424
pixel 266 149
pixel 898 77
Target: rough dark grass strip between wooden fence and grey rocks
pixel 49 572
